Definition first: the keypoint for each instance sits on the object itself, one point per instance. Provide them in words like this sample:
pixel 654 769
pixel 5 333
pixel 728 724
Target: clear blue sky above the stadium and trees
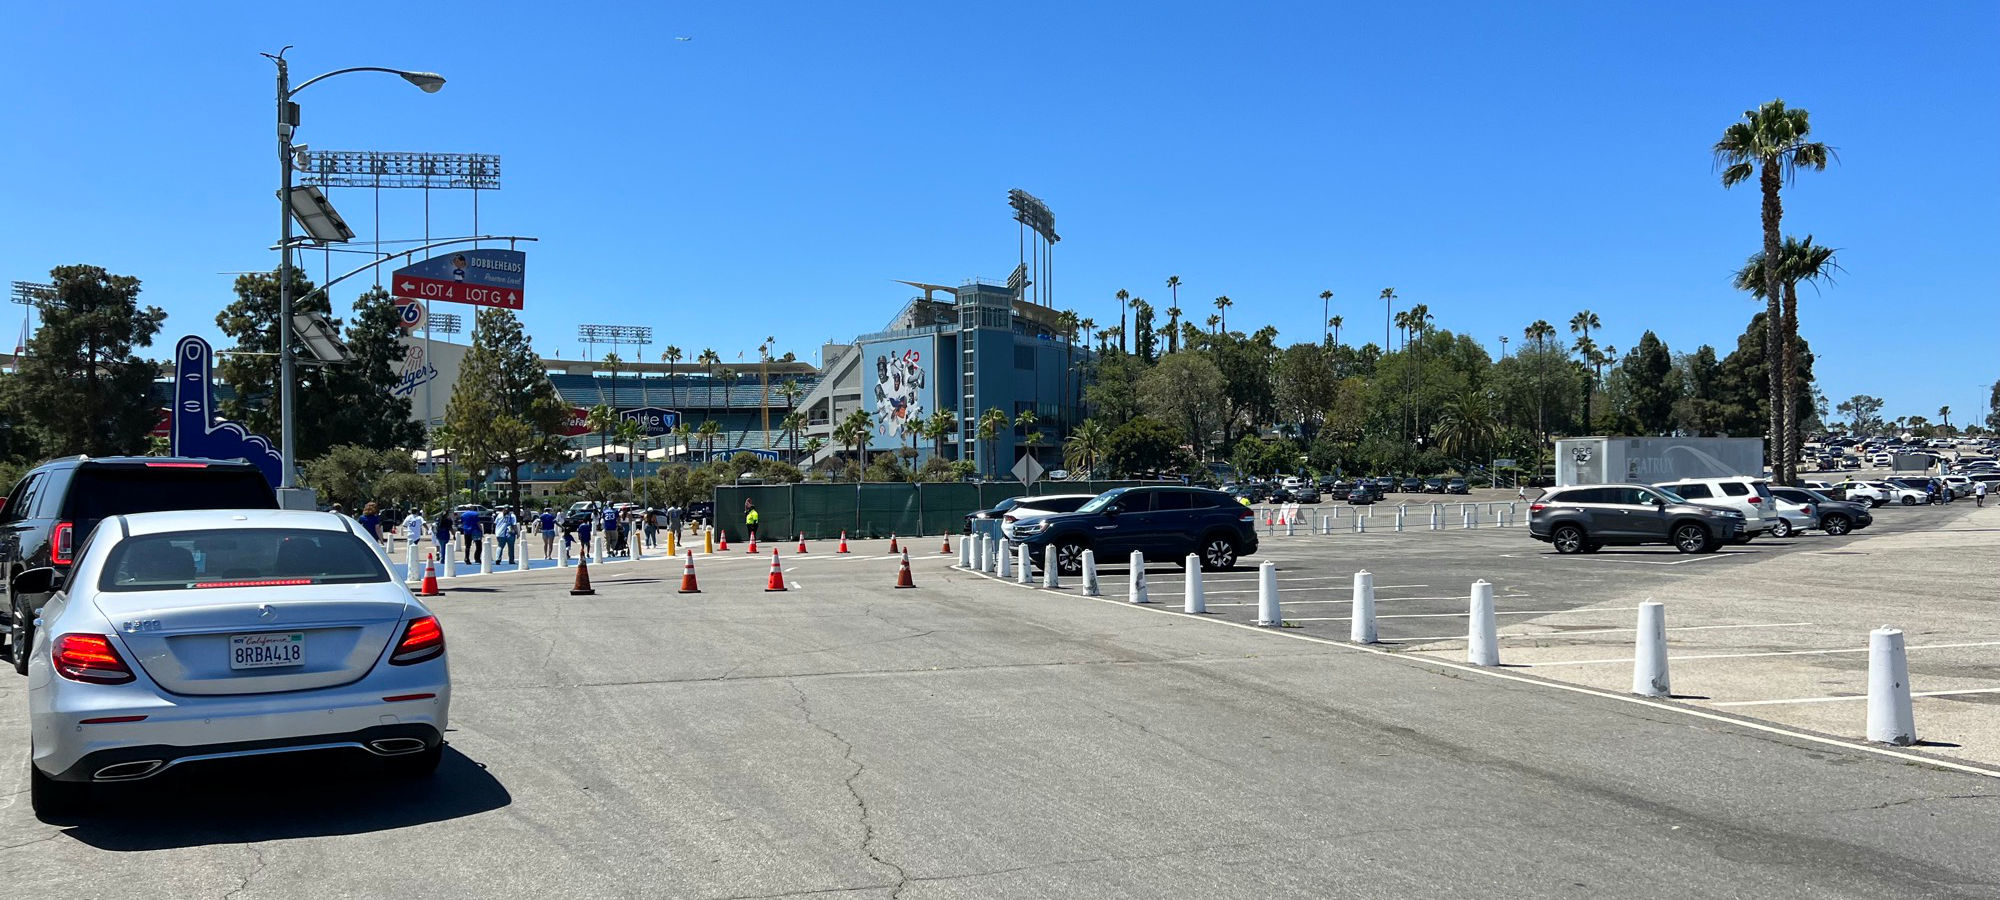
pixel 1501 163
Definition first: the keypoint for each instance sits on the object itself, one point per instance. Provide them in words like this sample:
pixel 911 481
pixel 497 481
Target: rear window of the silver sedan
pixel 241 559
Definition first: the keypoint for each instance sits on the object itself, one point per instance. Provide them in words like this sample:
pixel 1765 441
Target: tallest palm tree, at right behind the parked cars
pixel 1771 145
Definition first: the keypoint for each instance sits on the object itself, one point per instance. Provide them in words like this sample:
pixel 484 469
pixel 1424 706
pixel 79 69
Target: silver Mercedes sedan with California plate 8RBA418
pixel 205 637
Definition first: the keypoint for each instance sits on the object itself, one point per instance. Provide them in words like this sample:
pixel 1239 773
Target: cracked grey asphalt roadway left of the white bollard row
pixel 981 741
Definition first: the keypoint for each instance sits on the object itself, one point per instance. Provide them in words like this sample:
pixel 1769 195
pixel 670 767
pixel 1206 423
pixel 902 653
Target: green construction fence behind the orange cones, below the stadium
pixel 871 511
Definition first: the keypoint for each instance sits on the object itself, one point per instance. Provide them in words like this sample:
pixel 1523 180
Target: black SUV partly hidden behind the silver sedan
pixel 55 507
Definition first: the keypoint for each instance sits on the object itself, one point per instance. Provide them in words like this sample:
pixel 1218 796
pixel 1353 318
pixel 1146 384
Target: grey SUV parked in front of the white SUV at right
pixel 1589 517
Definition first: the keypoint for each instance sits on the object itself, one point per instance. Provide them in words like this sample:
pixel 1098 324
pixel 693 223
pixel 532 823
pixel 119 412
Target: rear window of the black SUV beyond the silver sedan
pixel 99 493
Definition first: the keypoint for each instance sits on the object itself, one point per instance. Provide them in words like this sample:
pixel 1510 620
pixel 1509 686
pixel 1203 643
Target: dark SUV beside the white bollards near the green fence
pixel 1163 523
